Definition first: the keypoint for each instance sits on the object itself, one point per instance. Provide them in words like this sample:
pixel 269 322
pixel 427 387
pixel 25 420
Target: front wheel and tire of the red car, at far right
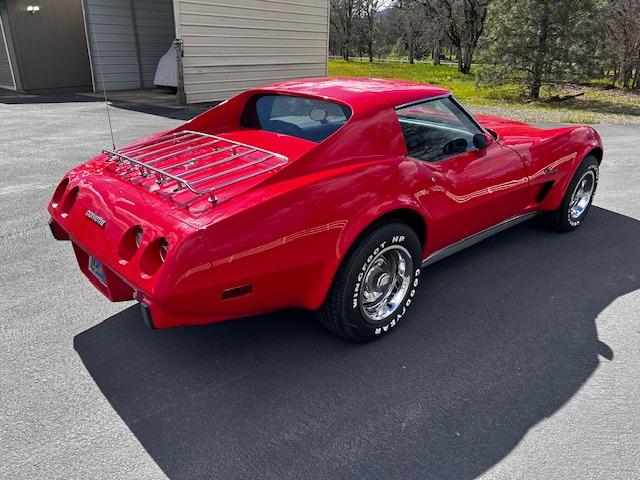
pixel 577 199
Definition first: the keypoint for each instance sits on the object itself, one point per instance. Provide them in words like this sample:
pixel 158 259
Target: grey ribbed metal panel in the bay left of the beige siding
pixel 127 39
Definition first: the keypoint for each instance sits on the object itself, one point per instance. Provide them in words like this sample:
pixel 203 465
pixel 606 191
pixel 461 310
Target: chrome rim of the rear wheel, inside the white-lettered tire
pixel 385 283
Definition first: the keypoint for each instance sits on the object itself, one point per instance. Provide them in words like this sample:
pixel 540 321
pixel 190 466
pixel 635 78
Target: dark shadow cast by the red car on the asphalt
pixel 500 337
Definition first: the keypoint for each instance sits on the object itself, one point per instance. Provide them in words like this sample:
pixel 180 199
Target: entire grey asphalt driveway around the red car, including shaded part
pixel 520 361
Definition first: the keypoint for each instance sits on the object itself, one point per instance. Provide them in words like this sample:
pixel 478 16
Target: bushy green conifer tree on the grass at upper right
pixel 533 42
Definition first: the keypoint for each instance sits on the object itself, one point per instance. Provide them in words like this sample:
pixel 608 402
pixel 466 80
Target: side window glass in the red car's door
pixel 436 129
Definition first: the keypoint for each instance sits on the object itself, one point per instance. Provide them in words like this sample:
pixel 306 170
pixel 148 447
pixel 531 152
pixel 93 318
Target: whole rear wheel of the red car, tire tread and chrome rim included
pixel 375 284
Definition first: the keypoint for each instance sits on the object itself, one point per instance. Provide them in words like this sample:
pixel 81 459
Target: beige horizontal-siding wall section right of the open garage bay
pixel 231 47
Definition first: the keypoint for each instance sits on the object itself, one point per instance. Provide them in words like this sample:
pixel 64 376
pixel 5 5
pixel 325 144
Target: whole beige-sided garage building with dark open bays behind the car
pixel 207 50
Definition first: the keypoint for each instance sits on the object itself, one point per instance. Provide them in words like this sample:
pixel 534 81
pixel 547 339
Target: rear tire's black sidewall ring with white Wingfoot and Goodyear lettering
pixel 395 234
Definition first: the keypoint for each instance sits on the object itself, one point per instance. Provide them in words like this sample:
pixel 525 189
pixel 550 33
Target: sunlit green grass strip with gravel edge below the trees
pixel 597 105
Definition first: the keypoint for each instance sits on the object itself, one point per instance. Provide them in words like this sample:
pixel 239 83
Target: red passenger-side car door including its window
pixel 463 189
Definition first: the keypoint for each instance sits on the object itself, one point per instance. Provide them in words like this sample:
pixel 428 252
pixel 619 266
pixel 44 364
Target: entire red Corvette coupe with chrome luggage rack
pixel 323 194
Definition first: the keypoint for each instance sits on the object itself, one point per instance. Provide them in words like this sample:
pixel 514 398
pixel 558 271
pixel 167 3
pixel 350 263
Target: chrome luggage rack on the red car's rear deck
pixel 189 162
